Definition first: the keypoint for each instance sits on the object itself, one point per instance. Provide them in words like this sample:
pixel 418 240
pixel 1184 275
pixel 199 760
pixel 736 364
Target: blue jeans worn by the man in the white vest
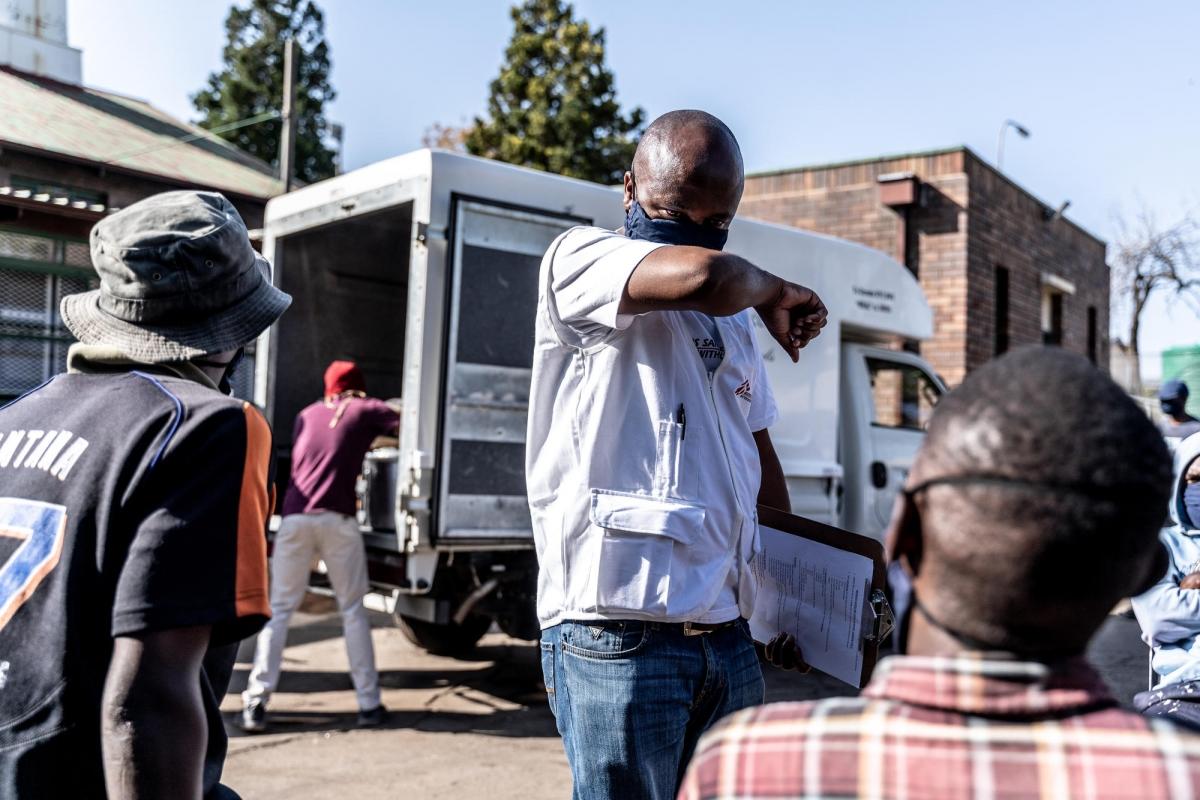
pixel 632 700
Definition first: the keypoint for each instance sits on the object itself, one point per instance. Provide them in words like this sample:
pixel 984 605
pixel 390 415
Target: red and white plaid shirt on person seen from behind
pixel 944 729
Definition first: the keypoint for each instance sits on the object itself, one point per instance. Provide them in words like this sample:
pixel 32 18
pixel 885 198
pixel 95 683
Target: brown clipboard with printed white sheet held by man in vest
pixel 824 579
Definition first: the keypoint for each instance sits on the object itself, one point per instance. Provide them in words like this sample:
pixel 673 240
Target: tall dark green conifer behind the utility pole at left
pixel 251 83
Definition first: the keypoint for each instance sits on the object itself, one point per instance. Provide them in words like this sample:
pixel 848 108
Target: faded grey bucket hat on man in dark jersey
pixel 178 280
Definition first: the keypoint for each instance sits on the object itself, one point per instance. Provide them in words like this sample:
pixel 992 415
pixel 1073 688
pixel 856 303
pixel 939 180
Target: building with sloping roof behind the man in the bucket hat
pixel 70 155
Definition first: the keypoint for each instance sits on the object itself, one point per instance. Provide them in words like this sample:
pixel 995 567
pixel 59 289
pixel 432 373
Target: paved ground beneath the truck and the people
pixel 477 729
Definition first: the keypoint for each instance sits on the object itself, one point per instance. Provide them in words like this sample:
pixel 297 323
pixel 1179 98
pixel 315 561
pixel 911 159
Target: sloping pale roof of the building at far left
pixel 123 133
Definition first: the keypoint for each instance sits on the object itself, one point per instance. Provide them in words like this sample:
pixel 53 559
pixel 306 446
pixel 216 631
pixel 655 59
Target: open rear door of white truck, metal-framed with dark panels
pixel 496 252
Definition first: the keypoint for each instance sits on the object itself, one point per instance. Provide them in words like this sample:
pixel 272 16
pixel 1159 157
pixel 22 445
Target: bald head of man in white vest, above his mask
pixel 688 165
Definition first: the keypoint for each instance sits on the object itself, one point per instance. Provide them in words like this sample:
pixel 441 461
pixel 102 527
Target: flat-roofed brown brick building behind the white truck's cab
pixel 1001 269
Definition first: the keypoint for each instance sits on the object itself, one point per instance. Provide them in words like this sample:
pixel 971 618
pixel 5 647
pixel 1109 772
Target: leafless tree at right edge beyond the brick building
pixel 1148 260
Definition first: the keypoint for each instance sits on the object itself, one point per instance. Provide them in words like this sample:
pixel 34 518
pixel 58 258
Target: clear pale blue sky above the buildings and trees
pixel 1109 91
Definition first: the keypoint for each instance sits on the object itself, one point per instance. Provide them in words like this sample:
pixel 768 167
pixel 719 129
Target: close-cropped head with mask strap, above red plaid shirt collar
pixel 1041 489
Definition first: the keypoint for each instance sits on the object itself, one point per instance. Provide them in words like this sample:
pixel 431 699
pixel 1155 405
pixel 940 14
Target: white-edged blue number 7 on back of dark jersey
pixel 41 528
